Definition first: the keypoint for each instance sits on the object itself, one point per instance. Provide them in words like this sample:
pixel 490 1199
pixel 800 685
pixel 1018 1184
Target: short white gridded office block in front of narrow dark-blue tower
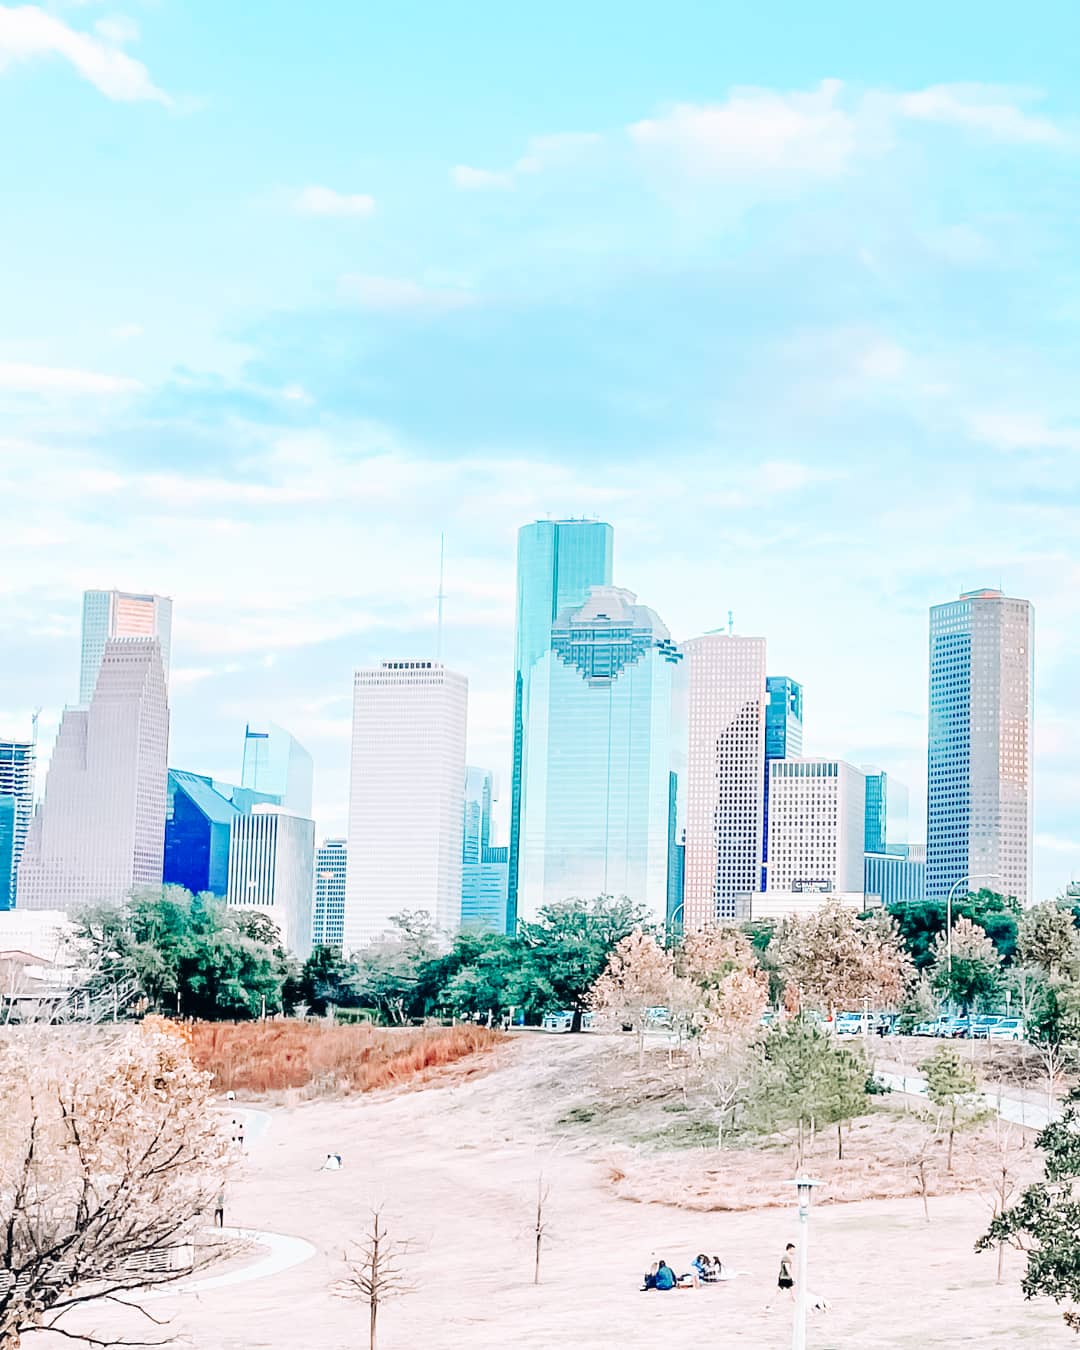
pixel 817 816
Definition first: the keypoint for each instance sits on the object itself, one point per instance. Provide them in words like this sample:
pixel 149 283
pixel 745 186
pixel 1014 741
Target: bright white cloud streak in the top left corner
pixel 28 33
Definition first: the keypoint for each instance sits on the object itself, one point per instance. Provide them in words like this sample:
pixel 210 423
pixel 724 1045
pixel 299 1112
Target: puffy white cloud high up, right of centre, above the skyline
pixel 755 134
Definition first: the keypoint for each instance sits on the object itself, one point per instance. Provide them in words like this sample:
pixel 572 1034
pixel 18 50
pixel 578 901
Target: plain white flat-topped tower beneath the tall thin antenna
pixel 407 799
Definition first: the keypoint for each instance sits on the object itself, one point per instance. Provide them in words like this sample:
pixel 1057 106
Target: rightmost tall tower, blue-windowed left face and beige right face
pixel 979 763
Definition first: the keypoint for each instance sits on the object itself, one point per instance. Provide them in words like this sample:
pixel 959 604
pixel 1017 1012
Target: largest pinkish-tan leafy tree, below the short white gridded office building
pixel 838 959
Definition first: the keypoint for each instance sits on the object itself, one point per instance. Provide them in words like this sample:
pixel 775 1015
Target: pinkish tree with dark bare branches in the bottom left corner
pixel 110 1154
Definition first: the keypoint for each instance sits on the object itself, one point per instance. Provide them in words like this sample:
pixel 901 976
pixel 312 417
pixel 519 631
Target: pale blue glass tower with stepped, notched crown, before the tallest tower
pixel 599 758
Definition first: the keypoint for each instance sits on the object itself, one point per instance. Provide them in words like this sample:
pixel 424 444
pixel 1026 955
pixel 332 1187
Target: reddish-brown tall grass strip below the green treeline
pixel 272 1056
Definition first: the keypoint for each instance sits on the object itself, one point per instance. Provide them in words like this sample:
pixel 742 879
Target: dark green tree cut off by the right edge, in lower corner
pixel 1047 1218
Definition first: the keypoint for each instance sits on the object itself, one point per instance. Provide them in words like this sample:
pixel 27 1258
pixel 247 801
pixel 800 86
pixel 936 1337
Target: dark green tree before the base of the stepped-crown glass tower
pixel 569 944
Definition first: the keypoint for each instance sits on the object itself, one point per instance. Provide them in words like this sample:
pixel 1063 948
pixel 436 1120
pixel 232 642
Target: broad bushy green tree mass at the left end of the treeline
pixel 188 954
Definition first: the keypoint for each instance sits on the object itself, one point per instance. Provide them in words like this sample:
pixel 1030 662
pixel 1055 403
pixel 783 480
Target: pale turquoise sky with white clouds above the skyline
pixel 788 294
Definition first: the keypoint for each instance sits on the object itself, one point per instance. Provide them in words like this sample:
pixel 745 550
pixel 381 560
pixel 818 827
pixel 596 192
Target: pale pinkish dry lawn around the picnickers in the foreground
pixel 457 1170
